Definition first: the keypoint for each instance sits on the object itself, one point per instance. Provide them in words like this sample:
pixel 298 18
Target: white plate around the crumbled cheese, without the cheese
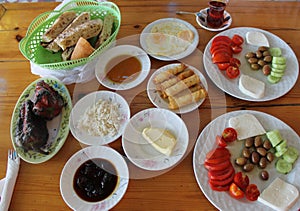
pixel 89 100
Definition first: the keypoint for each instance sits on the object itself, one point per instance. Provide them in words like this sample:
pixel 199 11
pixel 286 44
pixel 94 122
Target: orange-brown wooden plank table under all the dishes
pixel 37 187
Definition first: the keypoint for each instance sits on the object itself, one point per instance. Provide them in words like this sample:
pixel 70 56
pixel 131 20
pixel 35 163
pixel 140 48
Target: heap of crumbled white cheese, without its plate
pixel 103 118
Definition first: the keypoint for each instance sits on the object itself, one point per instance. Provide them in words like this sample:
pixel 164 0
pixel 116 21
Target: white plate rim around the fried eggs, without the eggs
pixel 188 51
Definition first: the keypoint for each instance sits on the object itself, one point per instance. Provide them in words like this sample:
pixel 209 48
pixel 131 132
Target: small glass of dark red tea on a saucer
pixel 215 16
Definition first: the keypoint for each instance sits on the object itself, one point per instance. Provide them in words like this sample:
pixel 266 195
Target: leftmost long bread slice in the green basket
pixel 58 26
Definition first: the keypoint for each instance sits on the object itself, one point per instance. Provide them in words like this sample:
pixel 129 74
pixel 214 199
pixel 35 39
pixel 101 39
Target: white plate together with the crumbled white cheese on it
pixel 99 118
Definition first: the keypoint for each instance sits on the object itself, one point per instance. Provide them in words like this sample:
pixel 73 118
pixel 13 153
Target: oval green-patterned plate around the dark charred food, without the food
pixel 58 127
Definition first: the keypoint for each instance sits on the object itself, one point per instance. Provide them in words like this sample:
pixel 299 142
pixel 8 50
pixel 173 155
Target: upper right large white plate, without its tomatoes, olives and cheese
pixel 230 86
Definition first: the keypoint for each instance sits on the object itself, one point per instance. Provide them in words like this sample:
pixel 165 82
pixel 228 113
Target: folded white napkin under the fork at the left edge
pixel 7 184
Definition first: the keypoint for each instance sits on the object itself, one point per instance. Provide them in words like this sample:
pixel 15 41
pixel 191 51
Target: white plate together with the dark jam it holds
pixel 96 176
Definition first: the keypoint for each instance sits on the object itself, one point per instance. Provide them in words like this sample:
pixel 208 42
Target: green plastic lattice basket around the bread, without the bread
pixel 30 45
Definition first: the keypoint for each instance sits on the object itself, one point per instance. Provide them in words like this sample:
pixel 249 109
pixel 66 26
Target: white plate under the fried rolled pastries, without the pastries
pixel 159 102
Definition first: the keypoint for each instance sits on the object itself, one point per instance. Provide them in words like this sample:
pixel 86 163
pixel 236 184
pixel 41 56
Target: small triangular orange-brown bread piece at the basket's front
pixel 82 49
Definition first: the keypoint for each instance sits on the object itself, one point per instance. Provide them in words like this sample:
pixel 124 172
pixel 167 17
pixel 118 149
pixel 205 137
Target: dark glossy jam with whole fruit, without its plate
pixel 95 180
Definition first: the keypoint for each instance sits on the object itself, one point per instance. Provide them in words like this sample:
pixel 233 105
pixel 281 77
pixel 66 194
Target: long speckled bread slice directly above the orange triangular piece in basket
pixel 87 30
